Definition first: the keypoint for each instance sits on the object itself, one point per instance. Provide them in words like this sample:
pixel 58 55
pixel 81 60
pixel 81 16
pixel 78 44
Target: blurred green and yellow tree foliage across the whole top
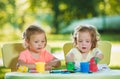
pixel 56 13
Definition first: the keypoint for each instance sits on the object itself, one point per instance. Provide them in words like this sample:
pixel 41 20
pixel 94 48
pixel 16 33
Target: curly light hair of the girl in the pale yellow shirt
pixel 95 36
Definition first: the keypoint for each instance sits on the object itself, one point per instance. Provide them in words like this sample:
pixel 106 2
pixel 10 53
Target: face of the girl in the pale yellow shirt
pixel 84 42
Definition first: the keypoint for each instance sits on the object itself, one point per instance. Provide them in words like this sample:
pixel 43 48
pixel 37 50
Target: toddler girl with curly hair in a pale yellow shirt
pixel 85 45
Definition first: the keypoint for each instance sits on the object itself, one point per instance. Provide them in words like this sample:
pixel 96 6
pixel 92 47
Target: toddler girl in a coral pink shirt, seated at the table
pixel 35 42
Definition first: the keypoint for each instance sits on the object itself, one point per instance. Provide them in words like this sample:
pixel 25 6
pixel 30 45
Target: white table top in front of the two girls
pixel 111 74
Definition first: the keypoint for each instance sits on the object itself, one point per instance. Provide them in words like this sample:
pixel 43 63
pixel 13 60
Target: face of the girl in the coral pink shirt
pixel 37 42
